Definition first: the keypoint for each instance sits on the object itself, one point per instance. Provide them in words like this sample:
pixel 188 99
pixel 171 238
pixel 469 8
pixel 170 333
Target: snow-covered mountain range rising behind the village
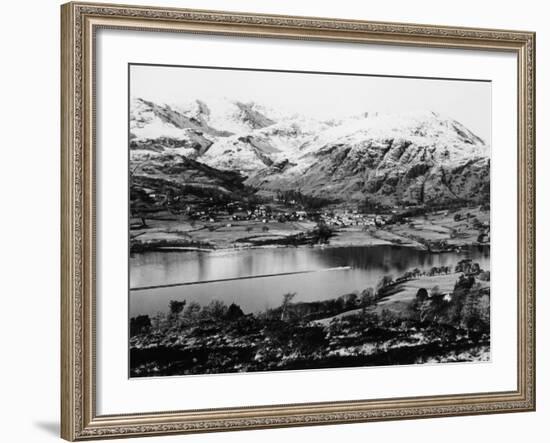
pixel 389 158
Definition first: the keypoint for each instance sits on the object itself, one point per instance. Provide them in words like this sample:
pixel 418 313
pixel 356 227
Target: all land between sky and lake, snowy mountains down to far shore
pixel 237 175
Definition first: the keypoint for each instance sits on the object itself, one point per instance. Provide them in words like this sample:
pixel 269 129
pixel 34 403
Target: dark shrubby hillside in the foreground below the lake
pixel 349 331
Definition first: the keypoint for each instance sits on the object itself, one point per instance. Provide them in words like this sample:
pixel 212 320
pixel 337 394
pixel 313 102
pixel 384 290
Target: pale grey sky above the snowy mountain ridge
pixel 322 96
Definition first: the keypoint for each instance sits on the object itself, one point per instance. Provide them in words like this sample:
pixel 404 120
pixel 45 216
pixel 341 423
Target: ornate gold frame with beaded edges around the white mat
pixel 79 420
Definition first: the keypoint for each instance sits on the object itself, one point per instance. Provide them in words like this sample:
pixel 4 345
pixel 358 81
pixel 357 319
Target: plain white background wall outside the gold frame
pixel 29 218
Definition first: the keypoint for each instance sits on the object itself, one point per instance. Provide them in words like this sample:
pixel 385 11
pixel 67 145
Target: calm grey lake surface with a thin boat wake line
pixel 367 265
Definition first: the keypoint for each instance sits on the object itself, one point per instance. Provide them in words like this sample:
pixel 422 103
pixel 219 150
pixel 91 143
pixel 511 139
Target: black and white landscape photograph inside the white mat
pixel 289 220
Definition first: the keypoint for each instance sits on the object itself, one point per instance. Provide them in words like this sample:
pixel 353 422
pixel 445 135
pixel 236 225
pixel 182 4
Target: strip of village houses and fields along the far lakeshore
pixel 214 224
